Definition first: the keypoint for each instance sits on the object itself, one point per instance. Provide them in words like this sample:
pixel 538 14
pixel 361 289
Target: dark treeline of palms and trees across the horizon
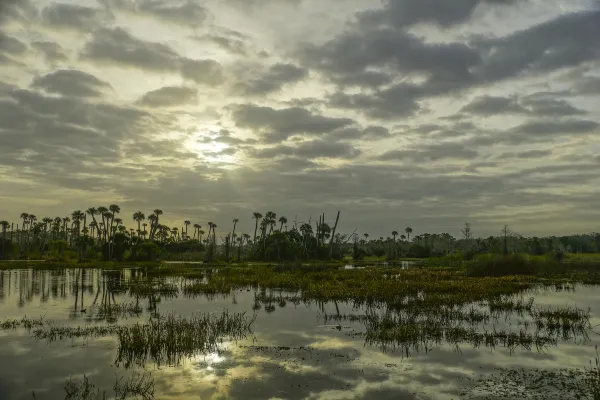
pixel 101 234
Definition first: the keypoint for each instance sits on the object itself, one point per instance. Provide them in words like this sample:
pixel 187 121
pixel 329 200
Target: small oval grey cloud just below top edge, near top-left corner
pixel 71 16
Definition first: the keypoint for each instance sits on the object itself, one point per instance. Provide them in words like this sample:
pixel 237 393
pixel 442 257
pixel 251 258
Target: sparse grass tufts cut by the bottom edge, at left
pixel 136 386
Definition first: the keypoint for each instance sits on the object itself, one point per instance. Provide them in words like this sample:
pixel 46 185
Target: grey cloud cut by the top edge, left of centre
pixel 187 12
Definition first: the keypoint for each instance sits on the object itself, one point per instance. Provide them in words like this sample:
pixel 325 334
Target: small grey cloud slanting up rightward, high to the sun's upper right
pixel 273 79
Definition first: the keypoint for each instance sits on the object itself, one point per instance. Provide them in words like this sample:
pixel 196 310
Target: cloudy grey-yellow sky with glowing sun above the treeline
pixel 421 113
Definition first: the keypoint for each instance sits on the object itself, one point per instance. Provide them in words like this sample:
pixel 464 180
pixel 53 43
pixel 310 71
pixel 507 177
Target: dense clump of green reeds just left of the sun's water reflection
pixel 169 339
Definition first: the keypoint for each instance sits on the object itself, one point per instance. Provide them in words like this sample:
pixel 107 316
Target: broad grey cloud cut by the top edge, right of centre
pixel 405 13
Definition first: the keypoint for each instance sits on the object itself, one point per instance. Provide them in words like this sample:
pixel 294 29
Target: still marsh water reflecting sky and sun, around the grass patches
pixel 298 350
